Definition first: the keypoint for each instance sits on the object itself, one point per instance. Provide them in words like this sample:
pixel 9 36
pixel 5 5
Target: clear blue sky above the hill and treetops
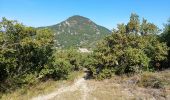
pixel 107 13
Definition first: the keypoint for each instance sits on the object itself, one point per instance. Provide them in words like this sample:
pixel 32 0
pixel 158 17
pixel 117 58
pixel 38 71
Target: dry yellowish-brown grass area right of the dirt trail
pixel 131 88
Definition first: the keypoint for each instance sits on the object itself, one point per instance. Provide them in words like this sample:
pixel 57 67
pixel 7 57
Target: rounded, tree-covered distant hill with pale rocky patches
pixel 78 31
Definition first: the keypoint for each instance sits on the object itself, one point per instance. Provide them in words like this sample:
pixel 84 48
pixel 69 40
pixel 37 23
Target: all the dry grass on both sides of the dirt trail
pixel 116 88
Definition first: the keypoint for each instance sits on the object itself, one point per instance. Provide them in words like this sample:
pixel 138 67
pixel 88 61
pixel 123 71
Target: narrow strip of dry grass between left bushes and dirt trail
pixel 40 88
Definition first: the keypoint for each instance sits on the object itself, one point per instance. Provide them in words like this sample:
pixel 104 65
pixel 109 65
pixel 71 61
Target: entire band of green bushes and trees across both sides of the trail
pixel 29 55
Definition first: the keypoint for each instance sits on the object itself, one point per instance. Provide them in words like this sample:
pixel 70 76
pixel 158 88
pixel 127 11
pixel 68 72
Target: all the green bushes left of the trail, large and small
pixel 28 55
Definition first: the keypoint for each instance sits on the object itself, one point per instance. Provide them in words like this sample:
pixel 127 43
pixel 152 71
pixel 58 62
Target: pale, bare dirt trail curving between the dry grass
pixel 79 85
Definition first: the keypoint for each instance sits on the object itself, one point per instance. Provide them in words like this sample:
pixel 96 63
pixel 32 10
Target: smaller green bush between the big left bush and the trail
pixel 63 63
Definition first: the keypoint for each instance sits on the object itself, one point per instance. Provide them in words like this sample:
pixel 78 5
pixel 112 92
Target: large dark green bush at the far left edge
pixel 24 51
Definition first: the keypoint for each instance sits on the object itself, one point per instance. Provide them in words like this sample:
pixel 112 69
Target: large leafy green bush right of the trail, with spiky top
pixel 127 50
